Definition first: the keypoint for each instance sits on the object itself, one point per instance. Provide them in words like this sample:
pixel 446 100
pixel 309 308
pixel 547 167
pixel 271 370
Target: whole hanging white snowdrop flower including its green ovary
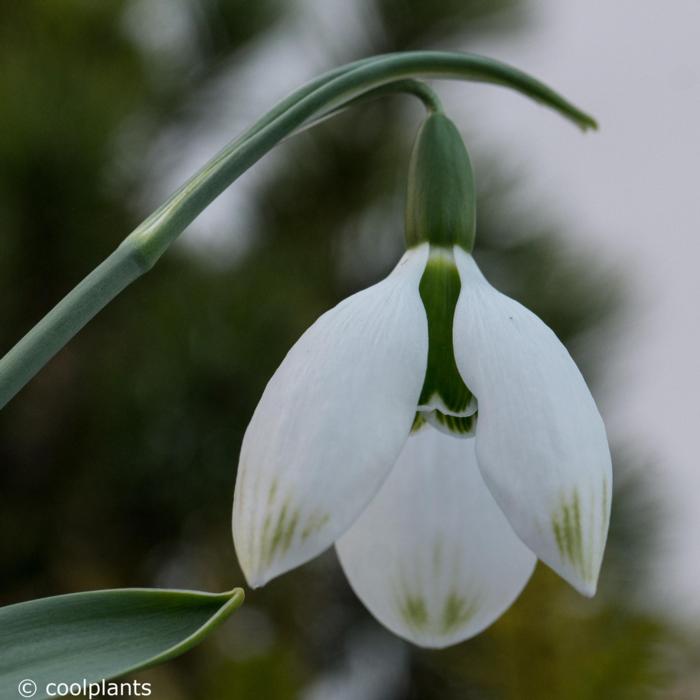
pixel 432 428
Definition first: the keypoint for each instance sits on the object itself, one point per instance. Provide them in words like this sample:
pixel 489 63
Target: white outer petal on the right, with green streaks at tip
pixel 540 441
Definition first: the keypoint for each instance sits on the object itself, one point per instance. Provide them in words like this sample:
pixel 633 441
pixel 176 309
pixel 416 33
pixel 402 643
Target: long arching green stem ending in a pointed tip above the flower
pixel 144 246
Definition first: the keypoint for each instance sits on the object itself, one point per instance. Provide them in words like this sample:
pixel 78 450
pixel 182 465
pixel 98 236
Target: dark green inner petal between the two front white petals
pixel 443 388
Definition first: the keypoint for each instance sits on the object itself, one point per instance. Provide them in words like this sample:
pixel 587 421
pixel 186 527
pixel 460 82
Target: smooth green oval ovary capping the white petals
pixel 441 201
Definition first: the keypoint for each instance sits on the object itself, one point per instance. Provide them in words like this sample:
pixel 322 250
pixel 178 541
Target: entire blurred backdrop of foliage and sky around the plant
pixel 117 463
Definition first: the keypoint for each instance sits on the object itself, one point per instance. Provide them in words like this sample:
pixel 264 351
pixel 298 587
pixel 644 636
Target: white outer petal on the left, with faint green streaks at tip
pixel 330 424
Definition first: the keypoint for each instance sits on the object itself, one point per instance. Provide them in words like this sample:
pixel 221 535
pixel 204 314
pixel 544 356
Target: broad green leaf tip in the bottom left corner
pixel 102 634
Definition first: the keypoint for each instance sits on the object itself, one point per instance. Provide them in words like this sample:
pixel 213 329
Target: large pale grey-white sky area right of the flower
pixel 632 190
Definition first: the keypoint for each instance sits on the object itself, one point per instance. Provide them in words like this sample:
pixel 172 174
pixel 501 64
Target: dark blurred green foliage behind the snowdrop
pixel 118 460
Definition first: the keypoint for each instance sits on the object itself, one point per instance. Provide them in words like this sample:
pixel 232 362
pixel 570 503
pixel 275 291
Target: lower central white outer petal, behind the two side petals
pixel 432 556
